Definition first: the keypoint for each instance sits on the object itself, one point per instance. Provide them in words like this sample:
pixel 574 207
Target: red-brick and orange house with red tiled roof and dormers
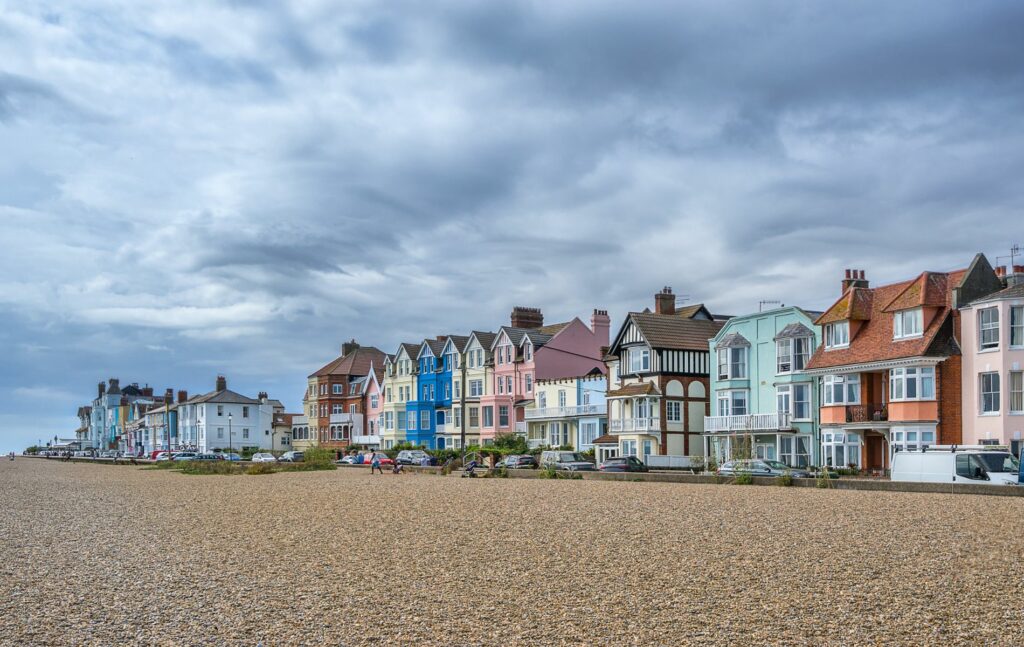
pixel 890 365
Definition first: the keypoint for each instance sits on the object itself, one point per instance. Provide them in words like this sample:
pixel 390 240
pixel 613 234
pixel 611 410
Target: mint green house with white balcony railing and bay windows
pixel 760 394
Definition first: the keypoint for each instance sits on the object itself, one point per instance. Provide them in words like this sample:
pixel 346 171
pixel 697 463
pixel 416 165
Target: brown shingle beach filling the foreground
pixel 110 555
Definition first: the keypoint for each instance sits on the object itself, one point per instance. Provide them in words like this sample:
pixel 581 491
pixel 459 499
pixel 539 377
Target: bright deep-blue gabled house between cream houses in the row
pixel 434 395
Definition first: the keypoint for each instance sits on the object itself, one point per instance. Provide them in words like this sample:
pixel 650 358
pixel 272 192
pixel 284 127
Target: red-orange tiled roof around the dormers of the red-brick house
pixel 874 341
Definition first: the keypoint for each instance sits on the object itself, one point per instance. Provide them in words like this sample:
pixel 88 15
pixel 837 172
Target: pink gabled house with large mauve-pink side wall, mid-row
pixel 526 352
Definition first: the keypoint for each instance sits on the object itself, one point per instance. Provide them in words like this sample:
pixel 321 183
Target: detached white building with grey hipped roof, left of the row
pixel 226 420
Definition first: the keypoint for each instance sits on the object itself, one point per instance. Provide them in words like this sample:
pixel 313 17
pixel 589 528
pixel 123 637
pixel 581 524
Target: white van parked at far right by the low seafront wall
pixel 957 464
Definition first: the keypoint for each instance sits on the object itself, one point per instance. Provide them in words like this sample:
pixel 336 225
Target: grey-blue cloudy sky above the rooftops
pixel 188 189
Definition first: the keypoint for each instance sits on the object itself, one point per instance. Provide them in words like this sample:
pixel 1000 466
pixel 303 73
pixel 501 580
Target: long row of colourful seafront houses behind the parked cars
pixel 934 360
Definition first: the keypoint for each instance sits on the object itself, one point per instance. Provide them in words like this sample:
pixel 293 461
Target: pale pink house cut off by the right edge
pixel 994 365
